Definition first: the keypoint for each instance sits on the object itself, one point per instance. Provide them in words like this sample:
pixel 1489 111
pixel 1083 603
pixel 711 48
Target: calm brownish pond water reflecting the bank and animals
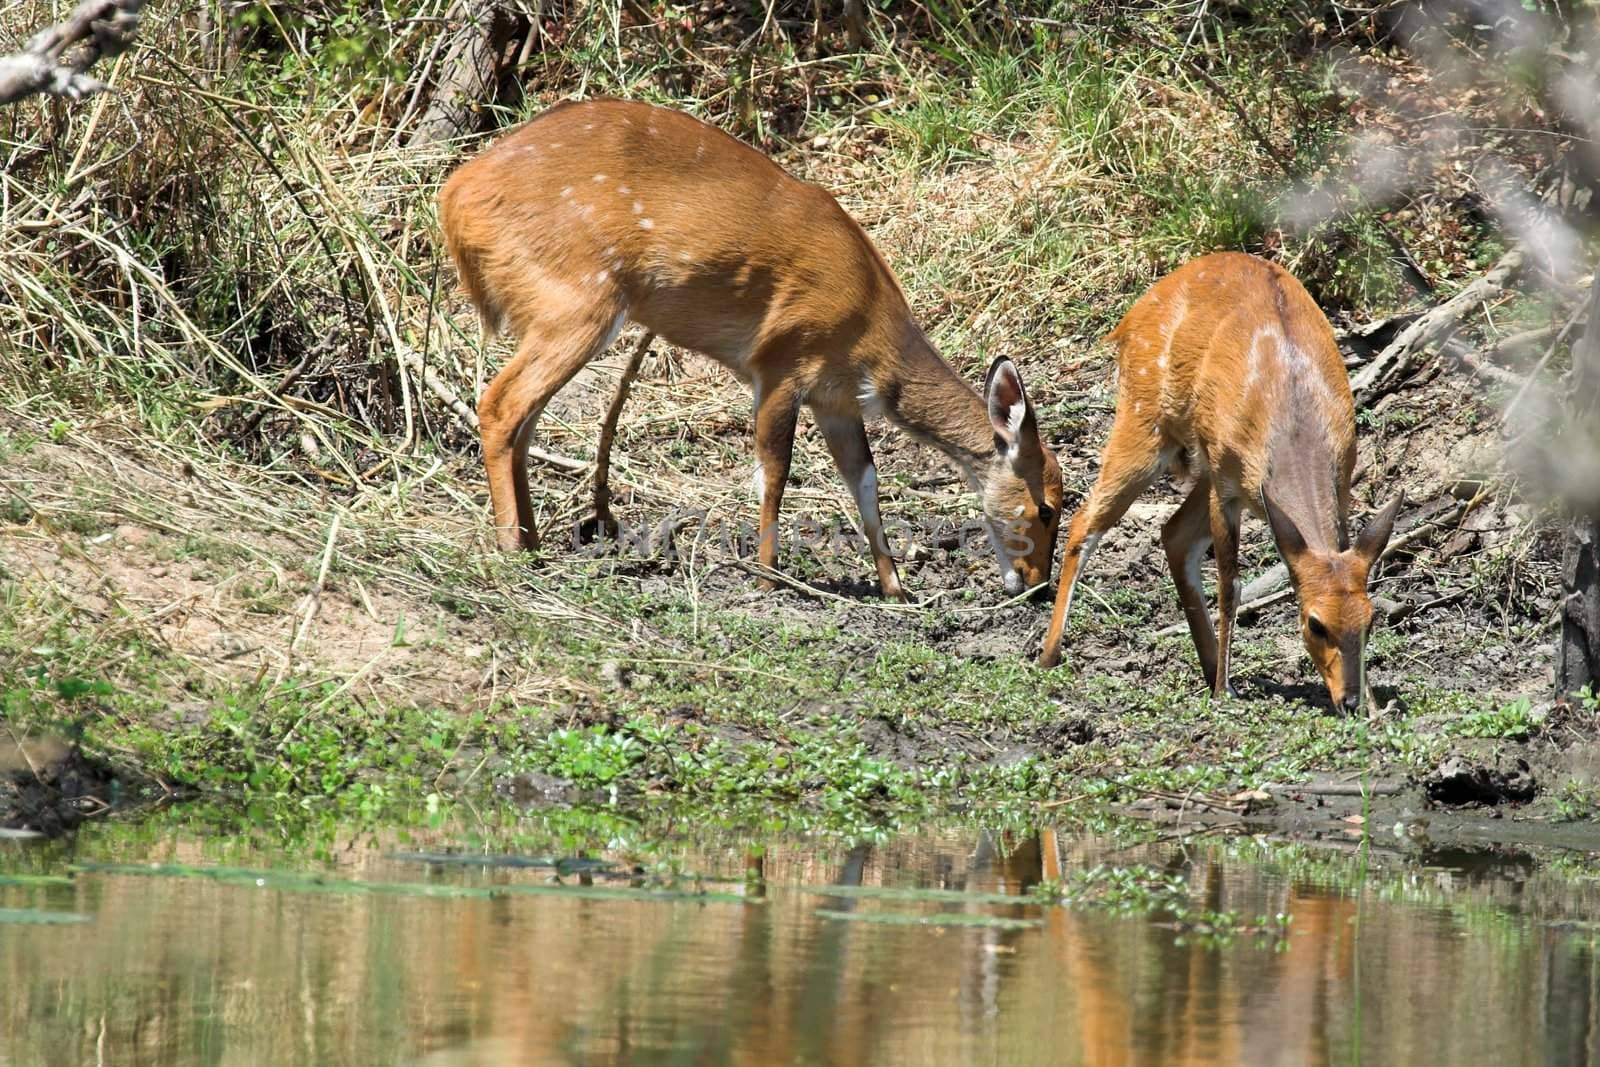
pixel 1390 959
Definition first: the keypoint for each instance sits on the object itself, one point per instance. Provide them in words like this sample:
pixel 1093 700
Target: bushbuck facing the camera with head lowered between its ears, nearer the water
pixel 1228 374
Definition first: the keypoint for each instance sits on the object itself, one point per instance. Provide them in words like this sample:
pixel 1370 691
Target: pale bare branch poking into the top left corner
pixel 57 58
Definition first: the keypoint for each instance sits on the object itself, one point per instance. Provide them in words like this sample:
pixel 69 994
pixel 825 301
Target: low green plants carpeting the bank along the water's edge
pixel 724 708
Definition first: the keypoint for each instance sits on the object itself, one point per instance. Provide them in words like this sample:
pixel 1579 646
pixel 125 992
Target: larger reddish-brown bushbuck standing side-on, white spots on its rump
pixel 607 212
